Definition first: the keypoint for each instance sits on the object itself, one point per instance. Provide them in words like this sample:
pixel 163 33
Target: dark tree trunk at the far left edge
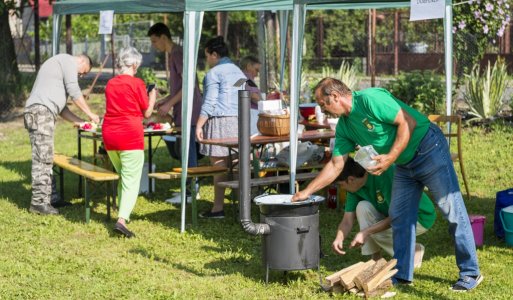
pixel 9 73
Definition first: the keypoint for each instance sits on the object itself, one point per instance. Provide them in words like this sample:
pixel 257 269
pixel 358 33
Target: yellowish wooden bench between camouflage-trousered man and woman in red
pixel 89 172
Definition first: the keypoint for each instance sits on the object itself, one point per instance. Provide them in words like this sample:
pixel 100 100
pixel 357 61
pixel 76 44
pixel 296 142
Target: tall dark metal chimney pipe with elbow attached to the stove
pixel 244 169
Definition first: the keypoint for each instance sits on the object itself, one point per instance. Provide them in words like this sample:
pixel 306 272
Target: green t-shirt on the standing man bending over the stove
pixel 371 122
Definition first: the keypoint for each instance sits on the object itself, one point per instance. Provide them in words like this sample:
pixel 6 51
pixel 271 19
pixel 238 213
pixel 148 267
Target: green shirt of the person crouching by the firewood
pixel 378 191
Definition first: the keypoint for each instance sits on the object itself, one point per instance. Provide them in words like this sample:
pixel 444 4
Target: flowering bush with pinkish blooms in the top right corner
pixel 476 24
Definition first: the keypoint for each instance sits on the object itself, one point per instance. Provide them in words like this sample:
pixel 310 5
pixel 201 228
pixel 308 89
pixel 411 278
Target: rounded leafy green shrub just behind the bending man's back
pixel 422 90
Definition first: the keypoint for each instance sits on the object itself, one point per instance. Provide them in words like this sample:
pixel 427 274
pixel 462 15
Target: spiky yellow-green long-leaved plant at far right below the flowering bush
pixel 484 92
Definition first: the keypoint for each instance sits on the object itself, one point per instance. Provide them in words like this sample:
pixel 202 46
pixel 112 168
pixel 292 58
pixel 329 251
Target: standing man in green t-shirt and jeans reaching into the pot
pixel 403 136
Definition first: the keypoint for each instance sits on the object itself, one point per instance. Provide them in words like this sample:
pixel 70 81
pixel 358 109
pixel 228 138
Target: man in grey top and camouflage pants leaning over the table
pixel 57 79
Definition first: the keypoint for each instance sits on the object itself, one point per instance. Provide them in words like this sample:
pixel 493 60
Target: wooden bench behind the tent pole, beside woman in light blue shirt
pixel 194 173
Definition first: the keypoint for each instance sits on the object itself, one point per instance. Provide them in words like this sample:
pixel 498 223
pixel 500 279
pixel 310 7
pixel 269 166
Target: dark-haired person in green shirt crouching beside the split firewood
pixel 368 200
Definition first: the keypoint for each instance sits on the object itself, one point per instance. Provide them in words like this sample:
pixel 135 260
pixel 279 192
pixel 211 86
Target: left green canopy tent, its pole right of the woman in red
pixel 193 17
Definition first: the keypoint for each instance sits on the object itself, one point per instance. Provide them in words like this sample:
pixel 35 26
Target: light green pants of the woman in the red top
pixel 128 165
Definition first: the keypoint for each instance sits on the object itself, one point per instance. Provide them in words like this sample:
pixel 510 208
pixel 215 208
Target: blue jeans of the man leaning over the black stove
pixel 431 167
